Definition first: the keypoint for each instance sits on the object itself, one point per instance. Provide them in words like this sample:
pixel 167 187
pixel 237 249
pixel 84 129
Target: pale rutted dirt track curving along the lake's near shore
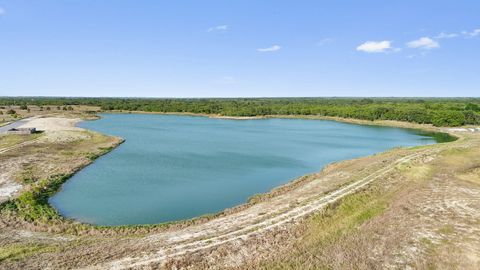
pixel 245 224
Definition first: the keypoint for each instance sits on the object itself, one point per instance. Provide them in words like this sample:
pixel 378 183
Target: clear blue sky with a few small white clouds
pixel 239 48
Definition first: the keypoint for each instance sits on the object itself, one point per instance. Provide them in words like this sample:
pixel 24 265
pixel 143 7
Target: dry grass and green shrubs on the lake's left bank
pixel 41 167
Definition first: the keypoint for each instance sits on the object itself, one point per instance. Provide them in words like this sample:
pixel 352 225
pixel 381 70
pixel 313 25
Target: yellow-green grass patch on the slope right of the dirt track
pixel 325 229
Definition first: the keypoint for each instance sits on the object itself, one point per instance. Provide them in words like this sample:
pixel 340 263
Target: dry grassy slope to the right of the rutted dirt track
pixel 369 229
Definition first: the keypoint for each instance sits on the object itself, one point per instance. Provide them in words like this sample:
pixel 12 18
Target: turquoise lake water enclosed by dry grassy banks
pixel 179 167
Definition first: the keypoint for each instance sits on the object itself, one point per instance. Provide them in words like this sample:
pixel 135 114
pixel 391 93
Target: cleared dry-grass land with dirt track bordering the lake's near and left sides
pixel 416 207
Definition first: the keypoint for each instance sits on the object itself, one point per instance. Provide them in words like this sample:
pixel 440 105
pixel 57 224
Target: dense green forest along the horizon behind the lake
pixel 436 111
